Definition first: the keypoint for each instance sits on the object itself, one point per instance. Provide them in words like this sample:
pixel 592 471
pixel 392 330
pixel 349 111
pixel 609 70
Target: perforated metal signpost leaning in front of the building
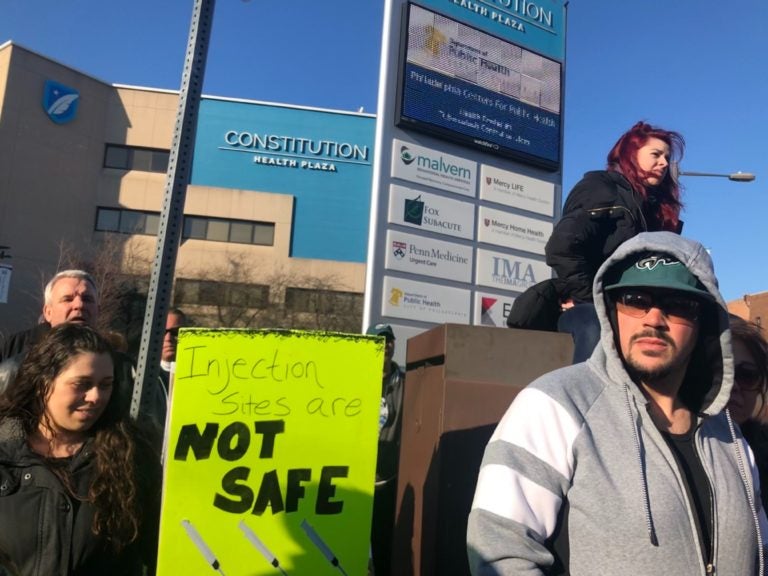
pixel 172 212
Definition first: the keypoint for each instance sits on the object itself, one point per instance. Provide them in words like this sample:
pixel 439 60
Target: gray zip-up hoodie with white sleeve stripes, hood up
pixel 578 480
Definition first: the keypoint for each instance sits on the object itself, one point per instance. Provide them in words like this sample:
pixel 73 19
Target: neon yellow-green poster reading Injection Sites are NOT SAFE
pixel 271 454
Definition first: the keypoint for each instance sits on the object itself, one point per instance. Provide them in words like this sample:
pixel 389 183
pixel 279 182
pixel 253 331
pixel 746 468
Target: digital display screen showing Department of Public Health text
pixel 463 85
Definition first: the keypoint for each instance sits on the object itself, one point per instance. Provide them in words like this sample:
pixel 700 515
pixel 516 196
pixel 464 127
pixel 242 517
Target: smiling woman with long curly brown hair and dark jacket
pixel 79 484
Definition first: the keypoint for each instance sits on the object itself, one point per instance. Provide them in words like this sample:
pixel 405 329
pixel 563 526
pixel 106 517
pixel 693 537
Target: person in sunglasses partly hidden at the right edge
pixel 750 385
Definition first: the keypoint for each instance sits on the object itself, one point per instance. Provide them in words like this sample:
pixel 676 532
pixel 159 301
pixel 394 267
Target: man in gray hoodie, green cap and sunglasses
pixel 627 463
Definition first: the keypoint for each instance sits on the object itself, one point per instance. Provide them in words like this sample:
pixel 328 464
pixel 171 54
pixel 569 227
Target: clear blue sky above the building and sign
pixel 695 66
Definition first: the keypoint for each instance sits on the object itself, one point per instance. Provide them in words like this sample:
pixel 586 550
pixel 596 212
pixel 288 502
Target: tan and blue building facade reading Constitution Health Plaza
pixel 275 218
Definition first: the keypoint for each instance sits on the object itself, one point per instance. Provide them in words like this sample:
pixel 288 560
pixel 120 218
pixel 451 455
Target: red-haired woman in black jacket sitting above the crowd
pixel 636 193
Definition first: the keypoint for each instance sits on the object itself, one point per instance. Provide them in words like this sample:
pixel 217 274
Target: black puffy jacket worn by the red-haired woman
pixel 601 212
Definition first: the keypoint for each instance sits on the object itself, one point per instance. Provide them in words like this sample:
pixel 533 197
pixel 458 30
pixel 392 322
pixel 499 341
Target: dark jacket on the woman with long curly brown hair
pixel 46 531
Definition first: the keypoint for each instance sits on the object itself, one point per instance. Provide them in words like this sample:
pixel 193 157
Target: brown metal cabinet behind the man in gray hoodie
pixel 459 382
